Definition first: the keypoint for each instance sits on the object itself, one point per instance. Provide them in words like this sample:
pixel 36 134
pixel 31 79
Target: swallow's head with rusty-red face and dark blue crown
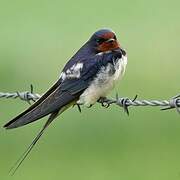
pixel 104 40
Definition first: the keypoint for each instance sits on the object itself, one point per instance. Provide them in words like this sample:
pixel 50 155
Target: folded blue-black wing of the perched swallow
pixel 64 91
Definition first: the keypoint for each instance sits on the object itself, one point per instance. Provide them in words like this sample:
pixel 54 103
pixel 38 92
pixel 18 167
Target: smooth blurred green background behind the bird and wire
pixel 36 40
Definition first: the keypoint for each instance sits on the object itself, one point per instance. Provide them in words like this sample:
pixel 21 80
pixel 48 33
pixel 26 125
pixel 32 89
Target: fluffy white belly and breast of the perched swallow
pixel 103 83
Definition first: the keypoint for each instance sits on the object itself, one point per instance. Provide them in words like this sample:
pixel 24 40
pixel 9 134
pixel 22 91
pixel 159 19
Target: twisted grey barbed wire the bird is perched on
pixel 124 102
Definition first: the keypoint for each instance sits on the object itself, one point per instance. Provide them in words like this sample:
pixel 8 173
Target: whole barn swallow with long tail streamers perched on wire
pixel 88 76
